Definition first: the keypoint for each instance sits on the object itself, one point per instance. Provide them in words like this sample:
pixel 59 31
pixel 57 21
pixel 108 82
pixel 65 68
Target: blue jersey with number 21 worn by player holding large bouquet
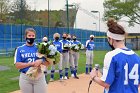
pixel 26 54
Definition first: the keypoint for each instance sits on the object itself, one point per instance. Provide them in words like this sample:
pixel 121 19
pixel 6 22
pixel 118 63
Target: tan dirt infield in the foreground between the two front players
pixel 72 86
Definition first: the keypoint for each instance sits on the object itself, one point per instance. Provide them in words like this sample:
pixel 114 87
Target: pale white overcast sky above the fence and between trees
pixel 84 19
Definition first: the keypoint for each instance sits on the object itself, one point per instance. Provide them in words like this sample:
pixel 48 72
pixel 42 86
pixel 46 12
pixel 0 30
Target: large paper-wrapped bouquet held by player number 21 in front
pixel 47 51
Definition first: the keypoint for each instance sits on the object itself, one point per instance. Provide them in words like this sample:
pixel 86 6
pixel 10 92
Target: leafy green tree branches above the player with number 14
pixel 119 9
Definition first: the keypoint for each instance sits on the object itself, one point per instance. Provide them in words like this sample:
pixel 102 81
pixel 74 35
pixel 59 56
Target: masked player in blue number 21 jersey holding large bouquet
pixel 26 57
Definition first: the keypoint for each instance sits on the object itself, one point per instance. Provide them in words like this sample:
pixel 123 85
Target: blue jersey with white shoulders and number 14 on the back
pixel 121 71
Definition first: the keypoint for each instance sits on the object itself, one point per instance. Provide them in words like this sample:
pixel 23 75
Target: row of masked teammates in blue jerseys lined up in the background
pixel 69 58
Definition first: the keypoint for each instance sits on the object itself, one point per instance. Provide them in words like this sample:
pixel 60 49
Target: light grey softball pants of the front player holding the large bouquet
pixel 32 86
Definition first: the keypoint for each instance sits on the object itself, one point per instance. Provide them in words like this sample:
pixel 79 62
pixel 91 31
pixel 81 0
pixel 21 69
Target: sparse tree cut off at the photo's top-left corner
pixel 4 8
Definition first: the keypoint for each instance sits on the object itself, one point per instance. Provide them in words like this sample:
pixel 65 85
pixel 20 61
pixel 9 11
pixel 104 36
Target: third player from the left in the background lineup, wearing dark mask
pixel 65 53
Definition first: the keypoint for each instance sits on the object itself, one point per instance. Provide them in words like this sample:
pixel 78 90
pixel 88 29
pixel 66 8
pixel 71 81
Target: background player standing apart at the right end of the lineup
pixel 89 54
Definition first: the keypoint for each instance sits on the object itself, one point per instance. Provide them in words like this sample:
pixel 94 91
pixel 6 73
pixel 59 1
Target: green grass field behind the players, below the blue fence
pixel 7 85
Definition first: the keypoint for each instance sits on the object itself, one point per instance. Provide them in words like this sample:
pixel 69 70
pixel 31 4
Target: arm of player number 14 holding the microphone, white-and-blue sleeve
pixel 108 73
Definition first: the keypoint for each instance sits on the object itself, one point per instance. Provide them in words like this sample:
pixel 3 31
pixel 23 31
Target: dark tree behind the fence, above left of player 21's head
pixel 20 10
